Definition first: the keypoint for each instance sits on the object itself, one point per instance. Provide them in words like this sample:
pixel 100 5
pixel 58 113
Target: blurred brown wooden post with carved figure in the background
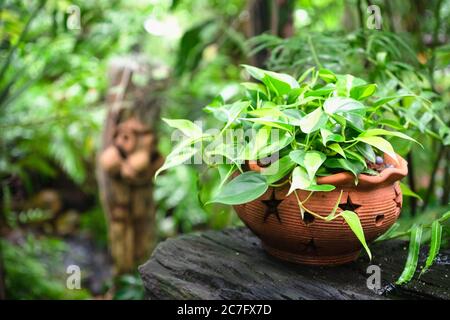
pixel 127 162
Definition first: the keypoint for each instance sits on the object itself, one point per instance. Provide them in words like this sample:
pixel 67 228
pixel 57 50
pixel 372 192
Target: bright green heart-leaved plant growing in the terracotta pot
pixel 300 129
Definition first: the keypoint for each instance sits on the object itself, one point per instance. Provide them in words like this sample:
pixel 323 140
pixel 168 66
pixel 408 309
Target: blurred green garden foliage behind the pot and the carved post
pixel 53 84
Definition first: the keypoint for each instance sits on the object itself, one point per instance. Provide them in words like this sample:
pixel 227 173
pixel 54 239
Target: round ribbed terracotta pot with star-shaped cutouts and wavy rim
pixel 275 218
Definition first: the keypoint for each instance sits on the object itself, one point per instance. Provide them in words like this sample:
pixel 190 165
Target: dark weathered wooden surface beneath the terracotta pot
pixel 230 264
